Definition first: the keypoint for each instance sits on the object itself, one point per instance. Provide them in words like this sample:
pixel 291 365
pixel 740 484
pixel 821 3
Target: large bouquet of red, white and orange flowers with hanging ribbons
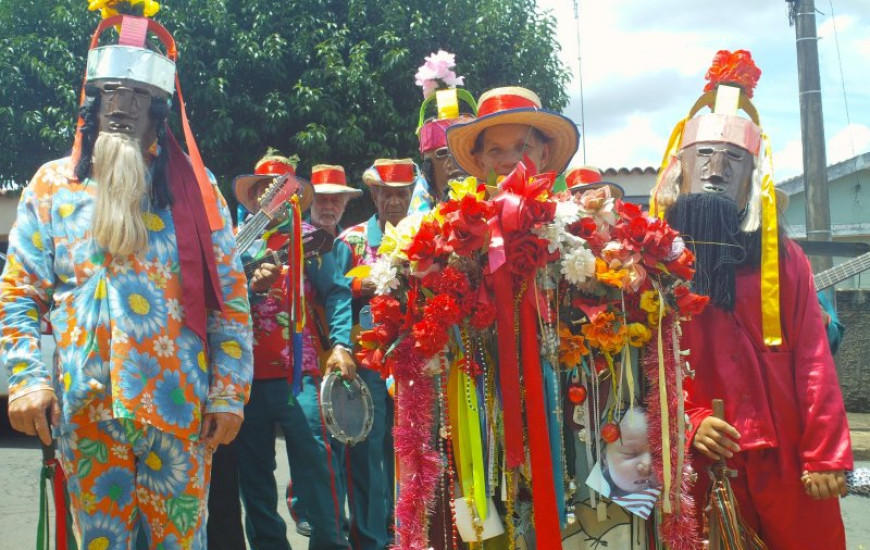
pixel 531 280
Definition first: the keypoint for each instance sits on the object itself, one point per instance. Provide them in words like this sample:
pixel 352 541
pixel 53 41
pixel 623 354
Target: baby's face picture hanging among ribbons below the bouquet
pixel 628 459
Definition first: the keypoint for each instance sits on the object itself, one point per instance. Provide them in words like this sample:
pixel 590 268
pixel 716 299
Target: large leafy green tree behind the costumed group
pixel 330 80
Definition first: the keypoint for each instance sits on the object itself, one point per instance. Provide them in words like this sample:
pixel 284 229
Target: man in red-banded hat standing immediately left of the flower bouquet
pixel 391 183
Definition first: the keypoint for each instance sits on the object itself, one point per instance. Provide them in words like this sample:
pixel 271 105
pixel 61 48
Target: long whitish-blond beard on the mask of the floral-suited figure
pixel 119 171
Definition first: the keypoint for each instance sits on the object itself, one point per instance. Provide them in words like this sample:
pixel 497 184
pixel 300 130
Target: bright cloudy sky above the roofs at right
pixel 643 65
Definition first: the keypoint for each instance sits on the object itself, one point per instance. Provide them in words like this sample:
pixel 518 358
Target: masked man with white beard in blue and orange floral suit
pixel 128 246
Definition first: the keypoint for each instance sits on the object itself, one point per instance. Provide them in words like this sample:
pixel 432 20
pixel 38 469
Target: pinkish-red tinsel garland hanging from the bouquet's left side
pixel 419 466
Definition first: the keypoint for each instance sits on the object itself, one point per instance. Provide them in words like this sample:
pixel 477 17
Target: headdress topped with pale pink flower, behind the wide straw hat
pixel 439 84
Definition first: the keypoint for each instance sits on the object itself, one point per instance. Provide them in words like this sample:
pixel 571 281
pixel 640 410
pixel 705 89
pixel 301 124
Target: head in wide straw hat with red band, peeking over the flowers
pixel 511 124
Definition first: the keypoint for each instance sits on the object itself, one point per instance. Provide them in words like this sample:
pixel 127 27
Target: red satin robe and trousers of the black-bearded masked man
pixel 785 401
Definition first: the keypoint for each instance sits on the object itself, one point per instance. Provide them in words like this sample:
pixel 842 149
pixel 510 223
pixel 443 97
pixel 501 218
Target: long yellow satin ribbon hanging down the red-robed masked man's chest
pixel 770 321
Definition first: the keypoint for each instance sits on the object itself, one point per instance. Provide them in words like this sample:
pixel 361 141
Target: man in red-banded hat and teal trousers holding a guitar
pixel 284 366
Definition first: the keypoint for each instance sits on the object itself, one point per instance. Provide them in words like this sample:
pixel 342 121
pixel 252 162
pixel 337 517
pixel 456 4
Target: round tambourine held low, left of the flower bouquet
pixel 347 408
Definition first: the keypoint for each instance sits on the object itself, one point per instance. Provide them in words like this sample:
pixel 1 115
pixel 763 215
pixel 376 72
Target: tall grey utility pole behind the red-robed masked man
pixel 818 210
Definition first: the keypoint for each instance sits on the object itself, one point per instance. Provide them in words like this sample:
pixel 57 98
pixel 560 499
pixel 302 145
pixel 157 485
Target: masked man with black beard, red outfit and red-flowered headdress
pixel 760 346
